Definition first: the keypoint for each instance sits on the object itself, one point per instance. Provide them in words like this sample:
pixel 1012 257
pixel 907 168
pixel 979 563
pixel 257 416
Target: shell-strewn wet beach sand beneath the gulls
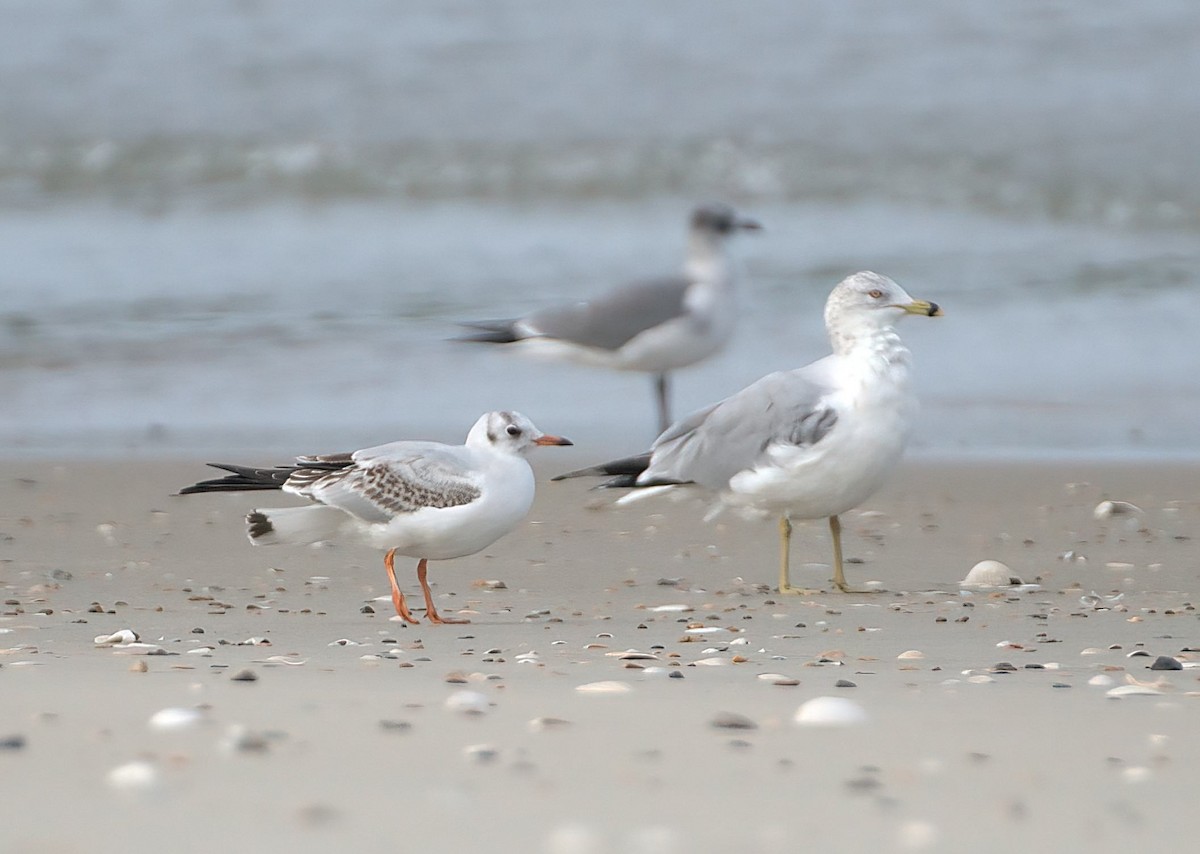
pixel 345 739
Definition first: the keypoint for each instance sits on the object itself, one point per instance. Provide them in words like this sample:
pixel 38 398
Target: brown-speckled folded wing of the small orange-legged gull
pixel 393 480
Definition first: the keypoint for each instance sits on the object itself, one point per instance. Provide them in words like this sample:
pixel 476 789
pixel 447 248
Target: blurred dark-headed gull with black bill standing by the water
pixel 655 327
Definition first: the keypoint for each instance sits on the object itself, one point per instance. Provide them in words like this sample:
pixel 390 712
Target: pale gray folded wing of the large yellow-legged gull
pixel 711 447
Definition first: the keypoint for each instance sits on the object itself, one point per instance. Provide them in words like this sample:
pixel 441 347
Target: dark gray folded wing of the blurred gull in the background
pixel 609 323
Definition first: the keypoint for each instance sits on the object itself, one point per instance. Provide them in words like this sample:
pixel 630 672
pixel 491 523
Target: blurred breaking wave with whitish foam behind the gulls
pixel 158 173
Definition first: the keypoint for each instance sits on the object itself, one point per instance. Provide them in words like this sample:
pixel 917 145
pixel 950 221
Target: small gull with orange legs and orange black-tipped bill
pixel 422 500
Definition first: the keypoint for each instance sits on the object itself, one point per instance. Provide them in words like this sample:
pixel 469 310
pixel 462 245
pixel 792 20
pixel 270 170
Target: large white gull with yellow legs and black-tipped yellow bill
pixel 805 444
